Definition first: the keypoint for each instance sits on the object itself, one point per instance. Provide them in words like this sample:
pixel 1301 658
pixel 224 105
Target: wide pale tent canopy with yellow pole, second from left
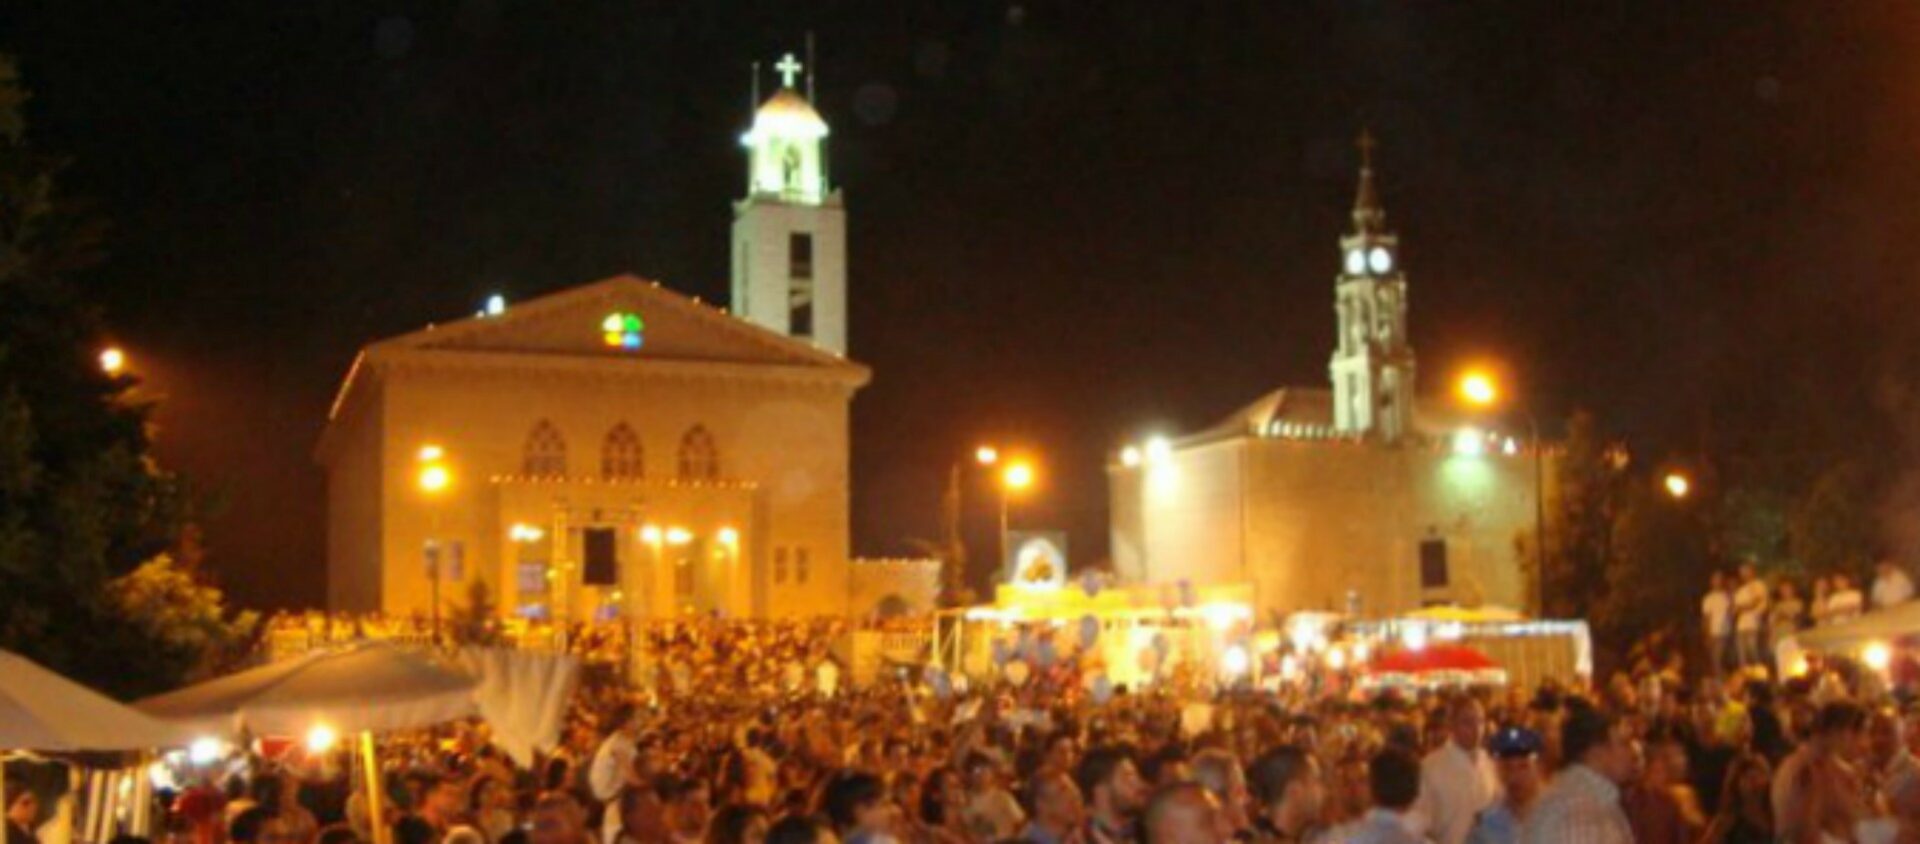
pixel 362 688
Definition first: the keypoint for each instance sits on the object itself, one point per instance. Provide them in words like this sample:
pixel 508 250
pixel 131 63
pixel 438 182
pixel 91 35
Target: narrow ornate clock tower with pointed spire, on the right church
pixel 1372 362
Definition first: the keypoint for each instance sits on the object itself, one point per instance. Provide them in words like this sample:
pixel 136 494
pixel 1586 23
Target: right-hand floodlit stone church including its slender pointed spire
pixel 1366 498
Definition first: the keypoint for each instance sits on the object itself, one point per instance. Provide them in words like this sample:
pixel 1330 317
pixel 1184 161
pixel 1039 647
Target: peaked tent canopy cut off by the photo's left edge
pixel 47 713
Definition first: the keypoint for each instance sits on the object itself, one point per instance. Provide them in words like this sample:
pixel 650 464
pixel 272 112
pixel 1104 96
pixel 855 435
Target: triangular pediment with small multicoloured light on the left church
pixel 621 317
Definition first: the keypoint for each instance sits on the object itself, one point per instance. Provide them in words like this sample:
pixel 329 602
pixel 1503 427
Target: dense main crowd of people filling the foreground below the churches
pixel 727 747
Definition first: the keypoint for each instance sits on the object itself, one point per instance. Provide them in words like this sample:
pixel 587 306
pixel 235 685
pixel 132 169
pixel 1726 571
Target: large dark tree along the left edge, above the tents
pixel 84 505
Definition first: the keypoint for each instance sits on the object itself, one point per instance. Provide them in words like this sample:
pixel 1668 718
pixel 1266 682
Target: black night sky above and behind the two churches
pixel 1072 223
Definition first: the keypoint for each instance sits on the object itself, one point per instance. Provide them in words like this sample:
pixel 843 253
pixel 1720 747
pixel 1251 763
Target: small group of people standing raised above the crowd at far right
pixel 1744 617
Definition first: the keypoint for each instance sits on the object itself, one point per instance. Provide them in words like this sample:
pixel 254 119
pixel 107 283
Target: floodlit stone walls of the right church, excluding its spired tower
pixel 1324 523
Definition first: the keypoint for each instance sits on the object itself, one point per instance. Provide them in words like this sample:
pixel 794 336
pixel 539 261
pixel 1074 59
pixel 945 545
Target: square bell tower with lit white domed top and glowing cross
pixel 790 231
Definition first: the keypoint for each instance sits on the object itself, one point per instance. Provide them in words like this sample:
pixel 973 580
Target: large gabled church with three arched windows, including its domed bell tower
pixel 619 450
